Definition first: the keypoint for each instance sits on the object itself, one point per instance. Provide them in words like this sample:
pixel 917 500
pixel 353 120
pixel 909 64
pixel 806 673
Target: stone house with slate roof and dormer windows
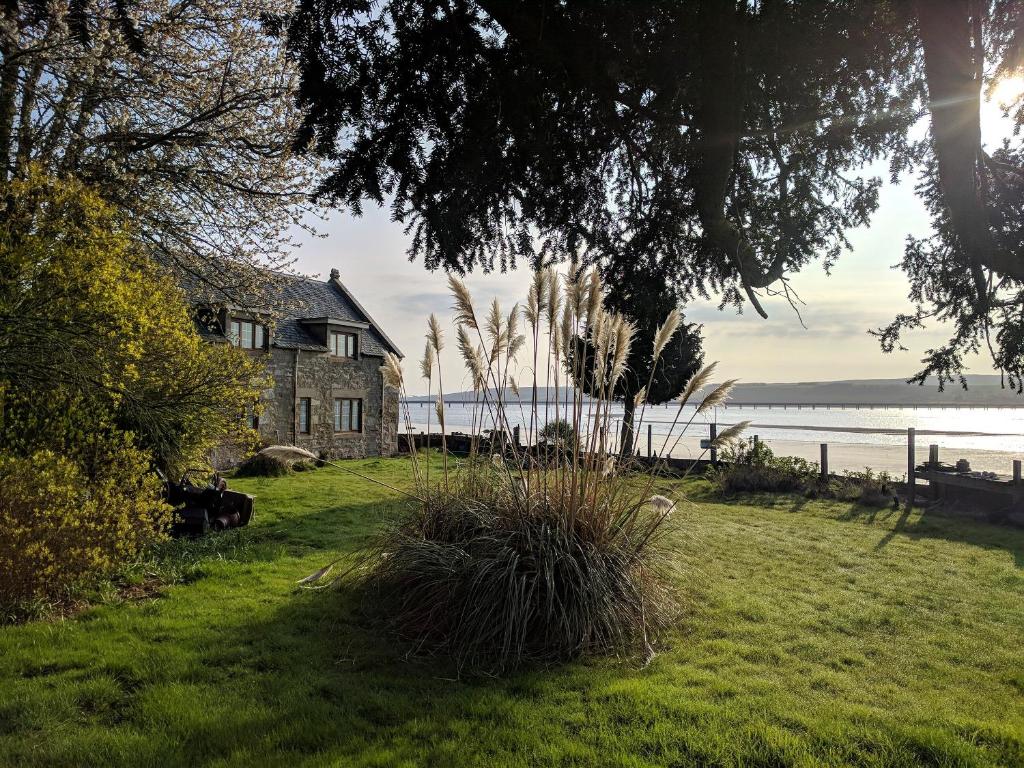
pixel 324 354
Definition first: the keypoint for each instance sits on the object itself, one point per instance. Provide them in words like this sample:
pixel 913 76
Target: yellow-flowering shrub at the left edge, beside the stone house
pixel 102 374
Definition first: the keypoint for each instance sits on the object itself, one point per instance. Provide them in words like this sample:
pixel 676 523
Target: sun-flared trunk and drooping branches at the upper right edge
pixel 970 274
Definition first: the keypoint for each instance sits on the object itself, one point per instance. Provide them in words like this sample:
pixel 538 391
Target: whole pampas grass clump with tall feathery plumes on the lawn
pixel 508 557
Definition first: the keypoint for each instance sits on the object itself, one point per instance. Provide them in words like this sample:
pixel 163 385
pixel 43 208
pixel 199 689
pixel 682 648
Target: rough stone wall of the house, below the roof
pixel 322 378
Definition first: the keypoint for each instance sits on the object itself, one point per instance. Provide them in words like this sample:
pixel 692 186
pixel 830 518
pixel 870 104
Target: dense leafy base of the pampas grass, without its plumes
pixel 475 577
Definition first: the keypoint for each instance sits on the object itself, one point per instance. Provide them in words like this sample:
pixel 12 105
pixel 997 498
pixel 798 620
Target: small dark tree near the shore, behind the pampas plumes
pixel 645 300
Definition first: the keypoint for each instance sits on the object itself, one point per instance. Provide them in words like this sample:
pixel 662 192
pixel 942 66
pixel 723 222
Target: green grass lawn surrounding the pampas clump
pixel 815 633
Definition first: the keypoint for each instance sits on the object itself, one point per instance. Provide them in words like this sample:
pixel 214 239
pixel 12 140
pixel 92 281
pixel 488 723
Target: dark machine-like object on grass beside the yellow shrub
pixel 202 508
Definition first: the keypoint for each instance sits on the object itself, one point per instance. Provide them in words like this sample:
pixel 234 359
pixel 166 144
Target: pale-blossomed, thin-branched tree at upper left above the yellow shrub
pixel 177 112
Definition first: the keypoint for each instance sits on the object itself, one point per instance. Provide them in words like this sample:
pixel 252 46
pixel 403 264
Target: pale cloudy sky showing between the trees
pixel 863 292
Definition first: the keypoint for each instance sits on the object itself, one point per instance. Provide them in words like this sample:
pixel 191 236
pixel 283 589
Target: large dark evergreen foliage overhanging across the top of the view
pixel 698 132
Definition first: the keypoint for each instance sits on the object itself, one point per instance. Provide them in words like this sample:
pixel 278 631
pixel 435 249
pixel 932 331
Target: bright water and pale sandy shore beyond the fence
pixel 989 438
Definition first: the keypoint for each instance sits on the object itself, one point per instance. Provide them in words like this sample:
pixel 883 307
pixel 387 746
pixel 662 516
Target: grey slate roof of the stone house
pixel 291 300
